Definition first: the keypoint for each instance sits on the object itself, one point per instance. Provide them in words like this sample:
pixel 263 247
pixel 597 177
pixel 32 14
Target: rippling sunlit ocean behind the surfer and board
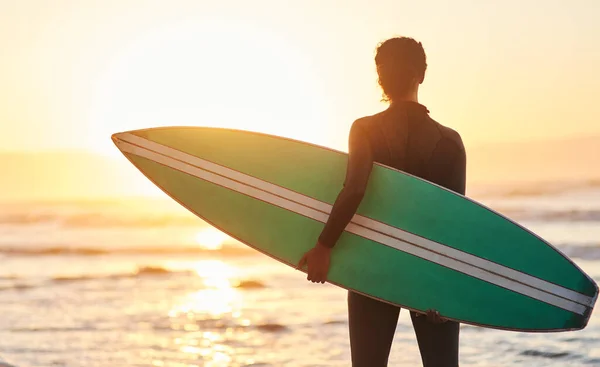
pixel 141 282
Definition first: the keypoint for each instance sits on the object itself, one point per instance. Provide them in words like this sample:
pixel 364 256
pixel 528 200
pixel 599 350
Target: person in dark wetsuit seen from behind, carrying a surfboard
pixel 406 138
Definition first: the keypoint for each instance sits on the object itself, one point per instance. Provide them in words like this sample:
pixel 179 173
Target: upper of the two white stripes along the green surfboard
pixel 363 221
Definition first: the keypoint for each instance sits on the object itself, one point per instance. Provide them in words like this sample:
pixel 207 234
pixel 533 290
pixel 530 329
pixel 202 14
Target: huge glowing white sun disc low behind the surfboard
pixel 213 73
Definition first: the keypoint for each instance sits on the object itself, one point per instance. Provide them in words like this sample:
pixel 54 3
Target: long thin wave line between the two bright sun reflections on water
pixel 91 251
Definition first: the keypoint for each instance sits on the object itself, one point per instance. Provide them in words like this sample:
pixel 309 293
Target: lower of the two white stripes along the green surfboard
pixel 354 228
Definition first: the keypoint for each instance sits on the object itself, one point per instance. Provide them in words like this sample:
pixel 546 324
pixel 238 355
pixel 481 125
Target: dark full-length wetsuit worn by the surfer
pixel 406 138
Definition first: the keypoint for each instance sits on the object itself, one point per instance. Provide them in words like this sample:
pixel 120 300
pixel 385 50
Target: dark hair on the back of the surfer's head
pixel 399 62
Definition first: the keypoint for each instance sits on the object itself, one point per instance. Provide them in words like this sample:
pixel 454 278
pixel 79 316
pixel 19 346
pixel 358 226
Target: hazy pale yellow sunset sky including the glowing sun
pixel 73 72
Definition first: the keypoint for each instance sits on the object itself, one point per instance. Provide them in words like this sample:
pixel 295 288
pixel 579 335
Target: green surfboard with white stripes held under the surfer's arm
pixel 411 243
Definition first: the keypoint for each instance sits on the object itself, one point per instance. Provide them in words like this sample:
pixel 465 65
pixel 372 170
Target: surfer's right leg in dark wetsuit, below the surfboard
pixel 438 343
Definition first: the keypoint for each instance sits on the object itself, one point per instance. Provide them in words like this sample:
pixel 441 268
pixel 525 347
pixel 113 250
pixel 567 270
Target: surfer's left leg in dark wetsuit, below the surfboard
pixel 372 327
